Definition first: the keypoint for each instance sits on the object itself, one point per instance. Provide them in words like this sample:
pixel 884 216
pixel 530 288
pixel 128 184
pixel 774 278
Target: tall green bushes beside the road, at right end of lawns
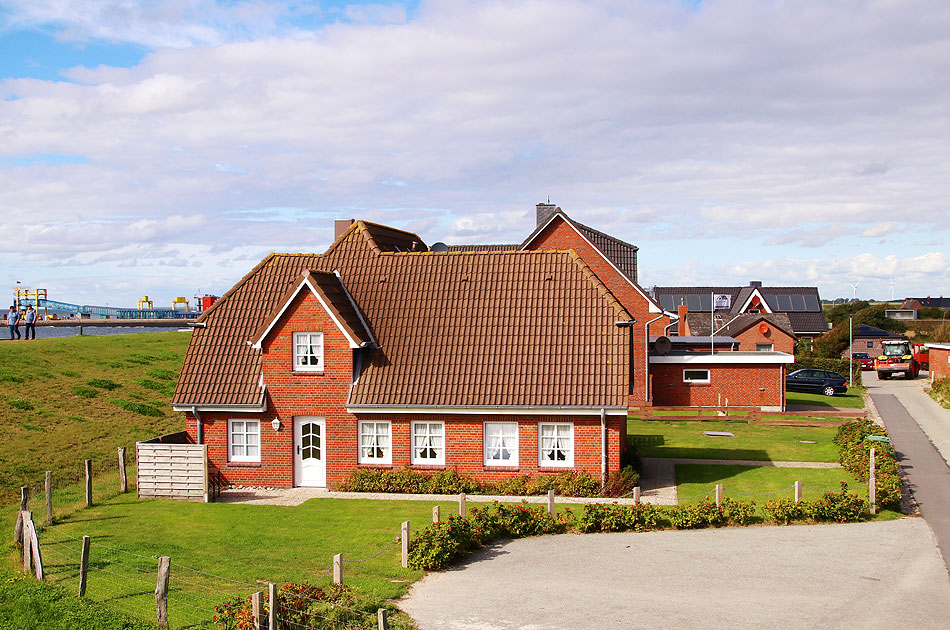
pixel 854 453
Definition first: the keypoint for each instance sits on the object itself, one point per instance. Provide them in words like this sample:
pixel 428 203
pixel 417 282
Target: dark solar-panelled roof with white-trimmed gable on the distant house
pixel 801 305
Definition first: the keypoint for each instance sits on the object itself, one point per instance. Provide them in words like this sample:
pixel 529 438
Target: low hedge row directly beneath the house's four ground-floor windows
pixel 571 483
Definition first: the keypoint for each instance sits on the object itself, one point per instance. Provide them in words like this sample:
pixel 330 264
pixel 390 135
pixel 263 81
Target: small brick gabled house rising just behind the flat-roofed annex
pixel 755 332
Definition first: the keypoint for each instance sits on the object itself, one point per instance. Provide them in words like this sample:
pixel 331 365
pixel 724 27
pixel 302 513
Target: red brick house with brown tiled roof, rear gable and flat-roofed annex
pixel 488 360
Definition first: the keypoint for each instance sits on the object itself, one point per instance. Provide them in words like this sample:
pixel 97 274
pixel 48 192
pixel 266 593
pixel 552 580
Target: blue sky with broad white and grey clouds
pixel 161 148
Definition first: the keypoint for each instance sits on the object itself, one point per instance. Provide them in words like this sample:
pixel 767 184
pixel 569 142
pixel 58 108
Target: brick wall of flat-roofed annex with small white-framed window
pixel 757 385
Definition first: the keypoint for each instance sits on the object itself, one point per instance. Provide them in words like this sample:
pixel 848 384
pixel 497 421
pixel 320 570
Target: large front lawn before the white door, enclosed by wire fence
pixel 246 545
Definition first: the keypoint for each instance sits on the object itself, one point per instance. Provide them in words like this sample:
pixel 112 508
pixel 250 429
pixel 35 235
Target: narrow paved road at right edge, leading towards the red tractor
pixel 928 476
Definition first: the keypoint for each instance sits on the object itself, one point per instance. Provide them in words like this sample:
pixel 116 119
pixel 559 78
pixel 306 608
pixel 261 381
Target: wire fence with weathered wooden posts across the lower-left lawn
pixel 127 582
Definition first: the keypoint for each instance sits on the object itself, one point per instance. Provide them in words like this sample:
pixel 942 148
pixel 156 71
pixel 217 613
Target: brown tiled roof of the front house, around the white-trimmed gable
pixel 454 329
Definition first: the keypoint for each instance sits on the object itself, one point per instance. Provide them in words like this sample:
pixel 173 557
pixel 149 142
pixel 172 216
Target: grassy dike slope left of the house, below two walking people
pixel 68 399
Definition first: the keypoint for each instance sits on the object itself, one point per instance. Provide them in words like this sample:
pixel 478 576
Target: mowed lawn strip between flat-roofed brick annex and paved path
pixel 686 439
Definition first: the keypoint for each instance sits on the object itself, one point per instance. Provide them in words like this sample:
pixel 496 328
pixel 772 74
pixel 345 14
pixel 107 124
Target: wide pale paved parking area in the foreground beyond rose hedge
pixel 866 575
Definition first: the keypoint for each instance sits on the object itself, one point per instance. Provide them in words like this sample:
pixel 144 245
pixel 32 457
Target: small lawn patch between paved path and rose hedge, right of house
pixel 741 481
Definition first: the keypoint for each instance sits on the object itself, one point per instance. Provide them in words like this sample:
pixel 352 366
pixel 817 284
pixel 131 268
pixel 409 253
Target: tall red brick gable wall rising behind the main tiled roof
pixel 560 235
